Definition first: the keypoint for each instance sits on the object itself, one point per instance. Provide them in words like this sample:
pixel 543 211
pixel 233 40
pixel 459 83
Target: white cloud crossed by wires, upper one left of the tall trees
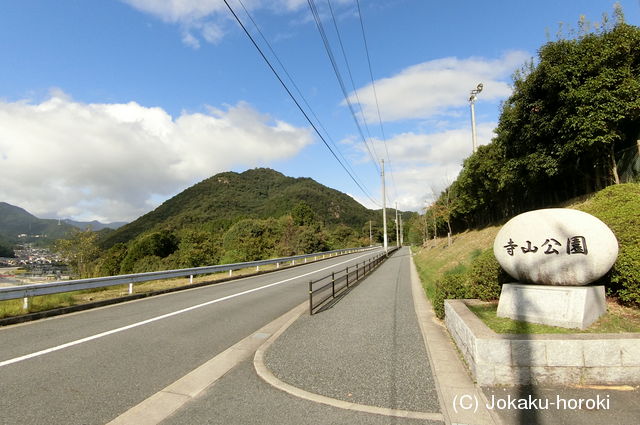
pixel 438 87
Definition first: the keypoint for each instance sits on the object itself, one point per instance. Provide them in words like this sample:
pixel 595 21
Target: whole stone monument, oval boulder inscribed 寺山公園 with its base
pixel 555 254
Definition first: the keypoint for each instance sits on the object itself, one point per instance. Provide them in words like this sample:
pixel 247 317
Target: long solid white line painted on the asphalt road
pixel 164 316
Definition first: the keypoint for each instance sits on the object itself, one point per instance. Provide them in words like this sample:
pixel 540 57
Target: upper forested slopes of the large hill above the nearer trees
pixel 256 193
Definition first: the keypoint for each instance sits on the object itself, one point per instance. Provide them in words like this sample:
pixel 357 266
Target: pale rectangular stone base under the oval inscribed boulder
pixel 565 306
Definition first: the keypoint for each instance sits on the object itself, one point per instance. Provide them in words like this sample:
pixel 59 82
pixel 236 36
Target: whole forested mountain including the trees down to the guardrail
pixel 230 217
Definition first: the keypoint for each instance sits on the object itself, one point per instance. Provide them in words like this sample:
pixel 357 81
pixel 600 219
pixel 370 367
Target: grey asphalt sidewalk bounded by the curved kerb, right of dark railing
pixel 366 350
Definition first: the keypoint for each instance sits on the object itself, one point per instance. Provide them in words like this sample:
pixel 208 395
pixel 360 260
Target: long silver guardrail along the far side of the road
pixel 27 291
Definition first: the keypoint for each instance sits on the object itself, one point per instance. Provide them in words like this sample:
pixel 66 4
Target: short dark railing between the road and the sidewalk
pixel 336 285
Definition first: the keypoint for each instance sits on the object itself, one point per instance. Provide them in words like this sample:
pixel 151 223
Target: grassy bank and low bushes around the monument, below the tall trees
pixel 468 269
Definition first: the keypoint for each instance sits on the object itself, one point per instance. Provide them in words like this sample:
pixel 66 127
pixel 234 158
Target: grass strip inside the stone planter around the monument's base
pixel 618 319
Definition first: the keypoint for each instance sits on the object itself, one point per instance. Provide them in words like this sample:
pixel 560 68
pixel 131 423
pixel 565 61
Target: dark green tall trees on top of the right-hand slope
pixel 559 134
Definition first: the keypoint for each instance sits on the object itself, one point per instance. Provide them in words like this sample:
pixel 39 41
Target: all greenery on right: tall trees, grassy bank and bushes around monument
pixel 568 136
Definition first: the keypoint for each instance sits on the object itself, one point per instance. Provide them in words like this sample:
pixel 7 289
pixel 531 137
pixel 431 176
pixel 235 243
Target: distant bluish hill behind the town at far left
pixel 15 221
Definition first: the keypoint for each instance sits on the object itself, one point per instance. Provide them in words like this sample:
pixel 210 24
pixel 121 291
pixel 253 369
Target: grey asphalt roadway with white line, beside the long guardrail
pixel 89 367
